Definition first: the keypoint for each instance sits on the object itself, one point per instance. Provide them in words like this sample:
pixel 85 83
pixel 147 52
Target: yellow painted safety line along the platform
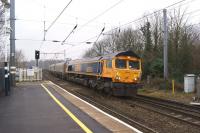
pixel 86 129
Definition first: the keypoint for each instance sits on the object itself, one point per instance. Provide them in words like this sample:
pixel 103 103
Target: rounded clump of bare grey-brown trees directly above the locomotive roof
pixel 127 39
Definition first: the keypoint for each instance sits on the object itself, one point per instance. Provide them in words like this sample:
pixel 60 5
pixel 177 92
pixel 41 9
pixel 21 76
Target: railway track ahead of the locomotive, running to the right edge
pixel 179 111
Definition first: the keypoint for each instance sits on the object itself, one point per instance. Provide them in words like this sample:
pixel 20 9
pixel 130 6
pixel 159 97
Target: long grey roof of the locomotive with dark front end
pixel 107 56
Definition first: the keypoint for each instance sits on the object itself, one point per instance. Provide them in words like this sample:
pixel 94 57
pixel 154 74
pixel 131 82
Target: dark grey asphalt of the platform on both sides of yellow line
pixel 29 109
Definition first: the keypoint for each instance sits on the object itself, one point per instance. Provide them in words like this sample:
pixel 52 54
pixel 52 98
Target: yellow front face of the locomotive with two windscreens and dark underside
pixel 126 75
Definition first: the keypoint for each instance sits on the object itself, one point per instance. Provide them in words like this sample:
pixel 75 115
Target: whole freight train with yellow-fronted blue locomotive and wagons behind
pixel 118 74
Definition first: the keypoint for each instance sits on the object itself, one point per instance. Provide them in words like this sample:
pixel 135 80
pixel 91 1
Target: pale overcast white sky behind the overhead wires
pixel 31 14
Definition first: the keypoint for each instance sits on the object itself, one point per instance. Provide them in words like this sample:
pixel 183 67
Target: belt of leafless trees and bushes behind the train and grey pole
pixel 147 41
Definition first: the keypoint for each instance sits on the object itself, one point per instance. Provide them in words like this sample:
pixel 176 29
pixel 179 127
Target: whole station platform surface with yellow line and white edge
pixel 44 107
